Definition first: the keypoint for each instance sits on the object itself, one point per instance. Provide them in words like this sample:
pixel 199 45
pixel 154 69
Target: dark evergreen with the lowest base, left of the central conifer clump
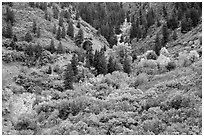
pixel 68 77
